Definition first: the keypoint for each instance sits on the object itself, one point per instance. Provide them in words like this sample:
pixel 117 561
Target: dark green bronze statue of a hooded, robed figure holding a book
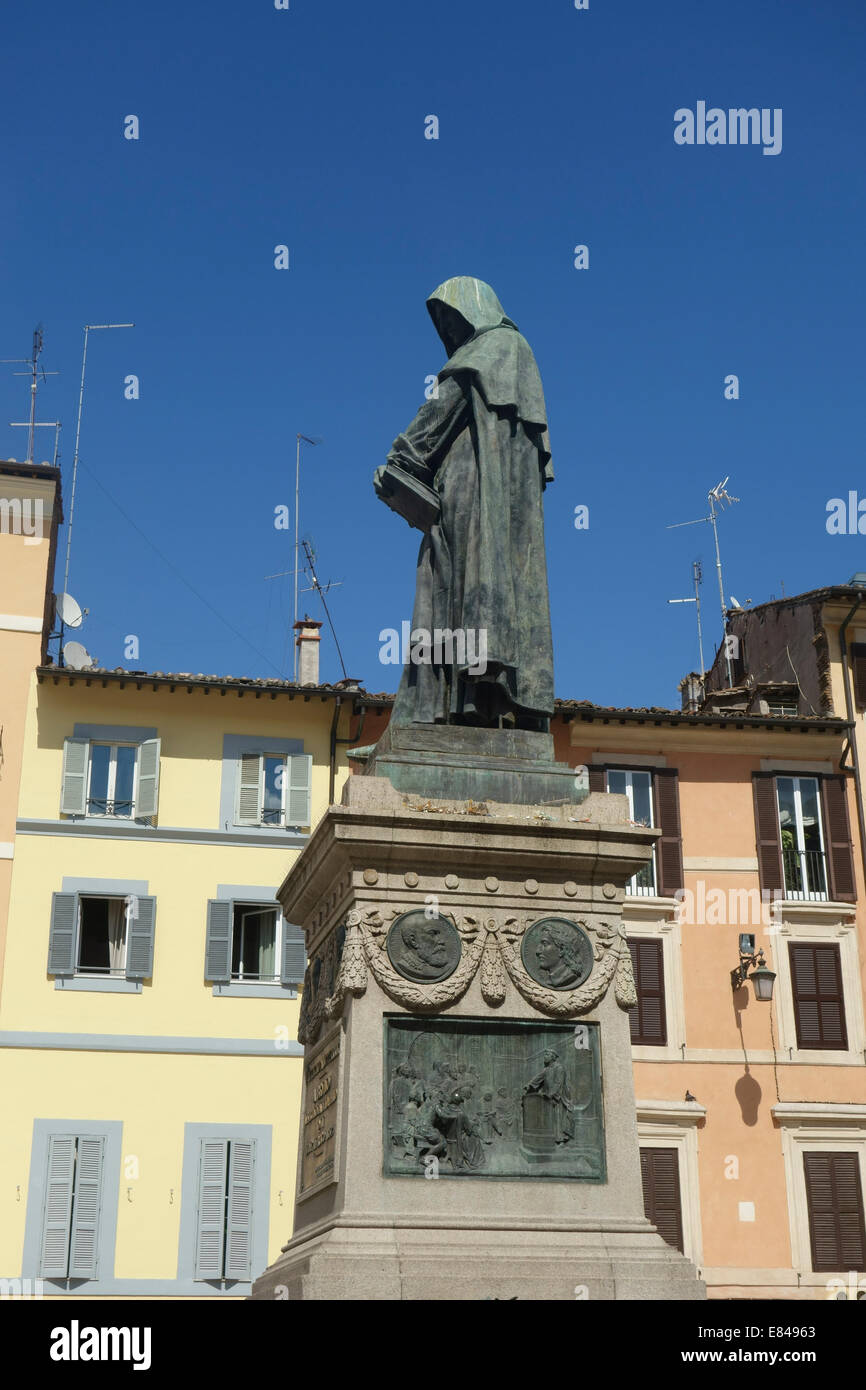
pixel 482 448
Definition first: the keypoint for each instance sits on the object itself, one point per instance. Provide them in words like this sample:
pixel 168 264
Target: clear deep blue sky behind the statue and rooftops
pixel 307 129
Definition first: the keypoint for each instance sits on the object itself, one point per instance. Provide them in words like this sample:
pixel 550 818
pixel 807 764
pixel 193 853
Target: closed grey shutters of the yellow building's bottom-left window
pixel 73 1203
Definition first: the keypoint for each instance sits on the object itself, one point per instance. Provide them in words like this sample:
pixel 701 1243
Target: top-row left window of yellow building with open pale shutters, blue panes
pixel 113 779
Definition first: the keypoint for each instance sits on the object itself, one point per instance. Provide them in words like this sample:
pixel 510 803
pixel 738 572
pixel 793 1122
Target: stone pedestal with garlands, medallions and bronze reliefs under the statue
pixel 469 1125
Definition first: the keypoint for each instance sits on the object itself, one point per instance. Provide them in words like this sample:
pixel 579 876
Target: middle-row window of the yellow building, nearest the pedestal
pixel 251 943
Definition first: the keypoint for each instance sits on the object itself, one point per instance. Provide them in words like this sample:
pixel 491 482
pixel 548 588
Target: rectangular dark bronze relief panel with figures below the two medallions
pixel 493 1099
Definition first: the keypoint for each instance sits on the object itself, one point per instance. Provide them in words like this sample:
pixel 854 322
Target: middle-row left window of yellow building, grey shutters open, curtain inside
pixel 102 936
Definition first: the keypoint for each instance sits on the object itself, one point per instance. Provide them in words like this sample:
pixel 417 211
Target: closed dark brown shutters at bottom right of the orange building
pixel 835 1199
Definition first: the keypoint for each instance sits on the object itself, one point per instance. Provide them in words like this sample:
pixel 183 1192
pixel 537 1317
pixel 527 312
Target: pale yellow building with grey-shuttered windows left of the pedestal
pixel 149 1061
